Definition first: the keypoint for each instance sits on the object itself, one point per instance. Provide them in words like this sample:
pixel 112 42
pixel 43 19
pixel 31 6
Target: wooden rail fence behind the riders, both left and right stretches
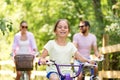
pixel 102 74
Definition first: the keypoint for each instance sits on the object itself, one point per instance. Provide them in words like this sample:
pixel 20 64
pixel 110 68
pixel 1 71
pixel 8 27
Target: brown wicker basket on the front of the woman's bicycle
pixel 24 62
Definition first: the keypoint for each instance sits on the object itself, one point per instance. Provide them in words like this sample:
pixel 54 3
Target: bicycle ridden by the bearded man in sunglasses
pixel 90 67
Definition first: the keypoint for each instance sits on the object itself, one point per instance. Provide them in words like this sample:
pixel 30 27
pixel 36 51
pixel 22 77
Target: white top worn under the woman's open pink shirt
pixel 23 47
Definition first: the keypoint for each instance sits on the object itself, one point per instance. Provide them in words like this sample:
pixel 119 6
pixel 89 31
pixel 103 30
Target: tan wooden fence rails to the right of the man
pixel 108 50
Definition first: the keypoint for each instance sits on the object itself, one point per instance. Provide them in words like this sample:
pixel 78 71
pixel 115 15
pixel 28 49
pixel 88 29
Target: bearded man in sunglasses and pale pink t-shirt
pixel 85 41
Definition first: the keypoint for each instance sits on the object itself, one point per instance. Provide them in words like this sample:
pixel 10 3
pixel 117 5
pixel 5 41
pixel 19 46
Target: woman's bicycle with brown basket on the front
pixel 24 63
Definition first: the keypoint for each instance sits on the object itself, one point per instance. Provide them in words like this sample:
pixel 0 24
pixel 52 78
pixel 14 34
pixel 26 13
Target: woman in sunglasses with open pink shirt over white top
pixel 24 43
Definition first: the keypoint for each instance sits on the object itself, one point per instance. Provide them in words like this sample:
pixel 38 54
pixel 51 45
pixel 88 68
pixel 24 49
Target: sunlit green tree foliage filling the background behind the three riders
pixel 41 15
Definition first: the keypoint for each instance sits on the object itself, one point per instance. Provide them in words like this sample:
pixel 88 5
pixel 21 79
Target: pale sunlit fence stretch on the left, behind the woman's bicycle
pixel 11 70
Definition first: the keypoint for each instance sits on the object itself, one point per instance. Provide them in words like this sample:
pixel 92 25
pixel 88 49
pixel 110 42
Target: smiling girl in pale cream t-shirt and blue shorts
pixel 60 50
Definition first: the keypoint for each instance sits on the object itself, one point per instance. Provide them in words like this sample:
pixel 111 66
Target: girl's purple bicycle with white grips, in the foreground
pixel 68 76
